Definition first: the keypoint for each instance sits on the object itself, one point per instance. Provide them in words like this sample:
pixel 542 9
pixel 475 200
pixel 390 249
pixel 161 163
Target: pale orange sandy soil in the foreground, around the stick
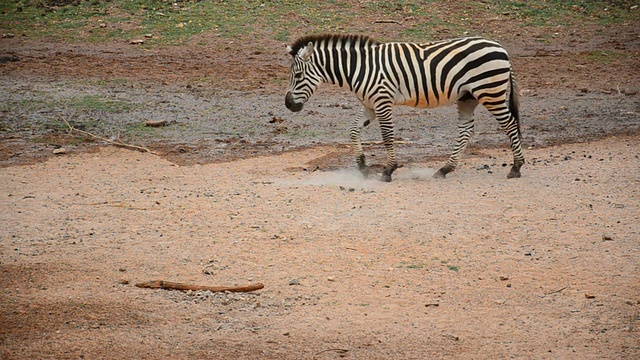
pixel 475 266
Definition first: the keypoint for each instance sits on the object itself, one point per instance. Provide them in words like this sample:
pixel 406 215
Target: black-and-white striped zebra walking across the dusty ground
pixel 468 71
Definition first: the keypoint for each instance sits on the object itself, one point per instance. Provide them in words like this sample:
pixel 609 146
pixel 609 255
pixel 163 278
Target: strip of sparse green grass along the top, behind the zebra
pixel 169 22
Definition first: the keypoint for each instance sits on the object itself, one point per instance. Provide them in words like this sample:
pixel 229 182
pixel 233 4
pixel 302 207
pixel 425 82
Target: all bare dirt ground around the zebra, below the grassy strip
pixel 239 191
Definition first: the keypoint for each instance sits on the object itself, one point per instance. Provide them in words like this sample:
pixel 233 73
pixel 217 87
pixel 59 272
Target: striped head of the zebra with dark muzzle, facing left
pixel 303 79
